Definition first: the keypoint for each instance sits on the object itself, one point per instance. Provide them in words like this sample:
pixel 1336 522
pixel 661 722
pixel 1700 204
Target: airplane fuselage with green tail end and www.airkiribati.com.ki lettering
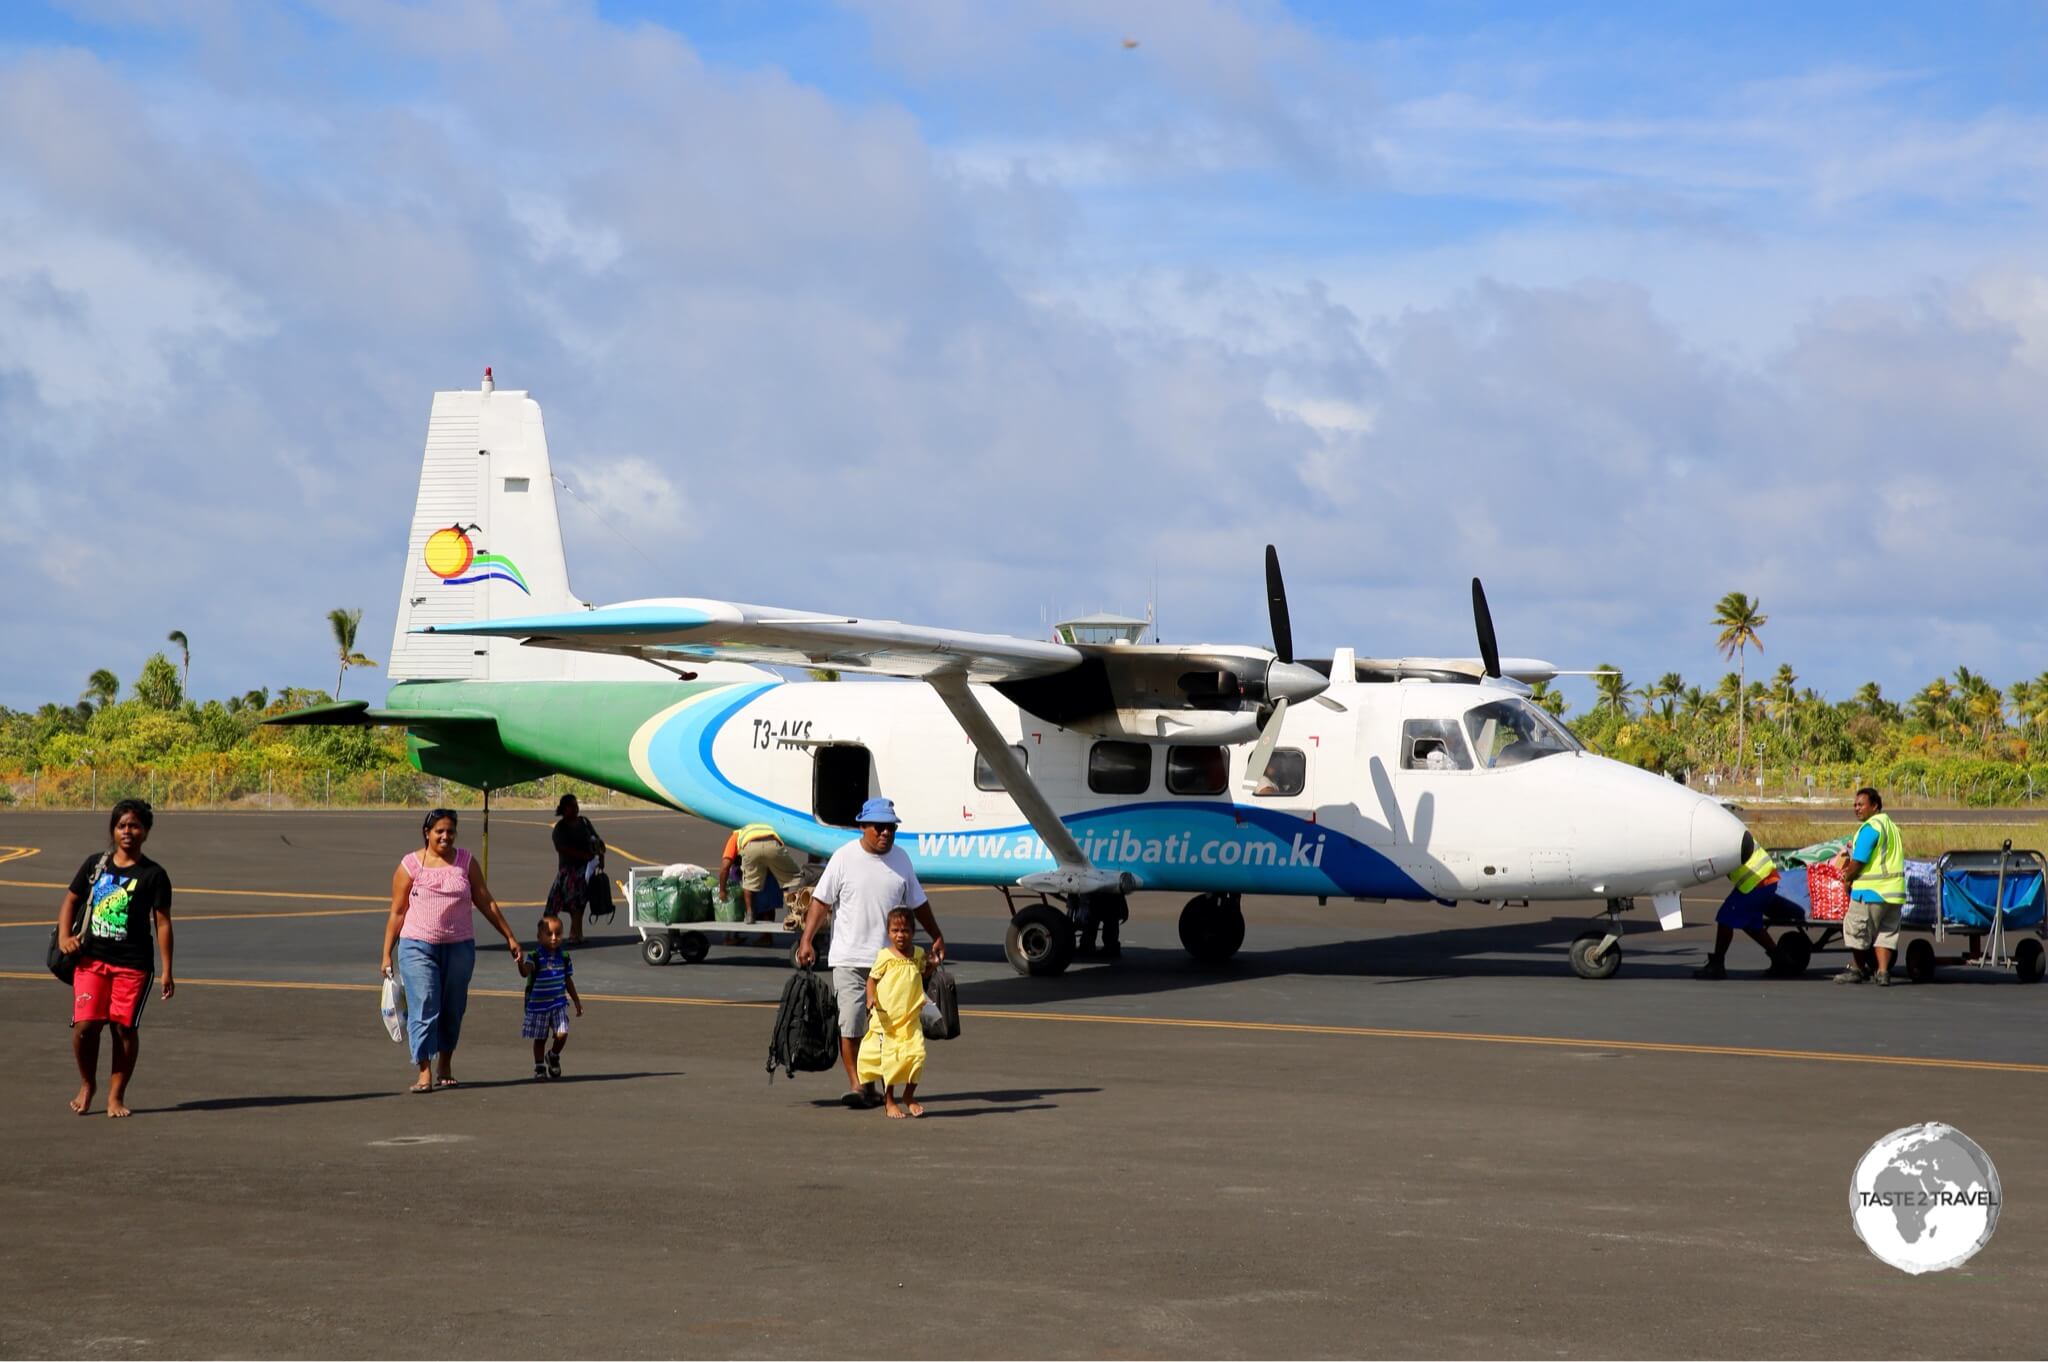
pixel 1353 816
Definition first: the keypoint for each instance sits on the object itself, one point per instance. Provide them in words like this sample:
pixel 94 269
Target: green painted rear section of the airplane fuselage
pixel 572 728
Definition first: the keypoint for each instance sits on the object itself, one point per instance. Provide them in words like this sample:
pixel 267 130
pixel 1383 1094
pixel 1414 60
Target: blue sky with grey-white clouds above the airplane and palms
pixel 968 314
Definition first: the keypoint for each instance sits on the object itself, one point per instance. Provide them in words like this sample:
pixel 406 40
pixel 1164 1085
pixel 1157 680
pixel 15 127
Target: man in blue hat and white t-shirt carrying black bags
pixel 863 882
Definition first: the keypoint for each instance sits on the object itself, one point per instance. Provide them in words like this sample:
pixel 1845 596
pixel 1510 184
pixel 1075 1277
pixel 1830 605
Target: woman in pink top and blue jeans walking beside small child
pixel 435 943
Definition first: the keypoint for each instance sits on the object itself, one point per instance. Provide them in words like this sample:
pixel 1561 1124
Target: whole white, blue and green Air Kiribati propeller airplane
pixel 1072 773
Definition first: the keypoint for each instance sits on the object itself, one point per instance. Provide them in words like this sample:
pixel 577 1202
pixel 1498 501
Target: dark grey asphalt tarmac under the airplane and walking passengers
pixel 1383 1132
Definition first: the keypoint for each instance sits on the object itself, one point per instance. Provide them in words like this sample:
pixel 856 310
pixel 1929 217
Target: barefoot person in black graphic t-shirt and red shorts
pixel 105 925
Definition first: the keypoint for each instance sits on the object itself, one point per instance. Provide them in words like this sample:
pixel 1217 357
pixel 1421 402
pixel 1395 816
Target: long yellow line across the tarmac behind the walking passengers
pixel 1285 1029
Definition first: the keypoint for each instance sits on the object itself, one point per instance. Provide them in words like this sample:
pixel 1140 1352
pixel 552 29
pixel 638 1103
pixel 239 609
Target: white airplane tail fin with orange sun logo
pixel 486 542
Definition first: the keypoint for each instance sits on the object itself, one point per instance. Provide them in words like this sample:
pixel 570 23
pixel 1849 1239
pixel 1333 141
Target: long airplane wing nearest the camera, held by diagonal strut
pixel 730 632
